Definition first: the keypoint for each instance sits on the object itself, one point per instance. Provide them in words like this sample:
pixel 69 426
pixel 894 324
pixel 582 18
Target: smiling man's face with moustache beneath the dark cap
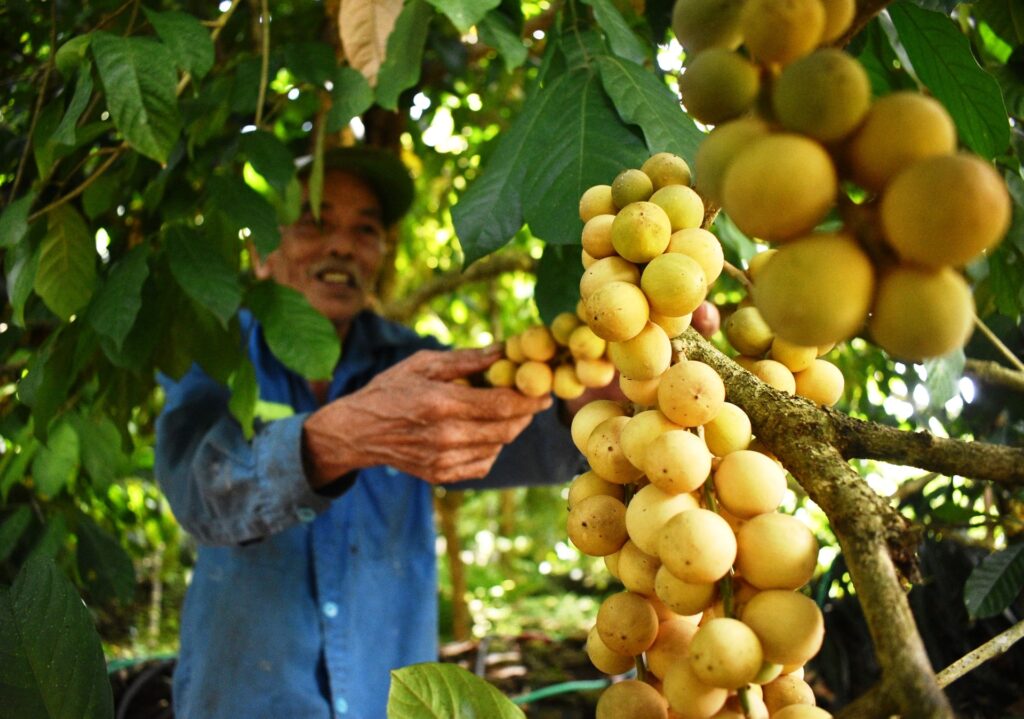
pixel 335 264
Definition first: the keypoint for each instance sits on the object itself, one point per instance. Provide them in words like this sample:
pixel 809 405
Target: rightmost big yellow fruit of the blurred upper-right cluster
pixel 946 210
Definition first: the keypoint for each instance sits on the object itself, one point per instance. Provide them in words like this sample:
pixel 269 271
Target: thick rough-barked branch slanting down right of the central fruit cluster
pixel 869 529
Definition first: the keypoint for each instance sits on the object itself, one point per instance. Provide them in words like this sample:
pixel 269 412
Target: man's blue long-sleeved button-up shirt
pixel 302 605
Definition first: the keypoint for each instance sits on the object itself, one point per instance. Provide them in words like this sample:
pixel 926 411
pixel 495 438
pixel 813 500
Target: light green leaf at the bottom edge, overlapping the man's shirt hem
pixel 436 691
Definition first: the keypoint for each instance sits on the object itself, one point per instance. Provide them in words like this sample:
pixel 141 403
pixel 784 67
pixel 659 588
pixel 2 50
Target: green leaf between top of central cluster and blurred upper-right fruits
pixel 644 100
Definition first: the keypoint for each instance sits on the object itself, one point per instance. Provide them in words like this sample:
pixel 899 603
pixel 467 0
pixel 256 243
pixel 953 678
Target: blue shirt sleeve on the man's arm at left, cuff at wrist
pixel 224 488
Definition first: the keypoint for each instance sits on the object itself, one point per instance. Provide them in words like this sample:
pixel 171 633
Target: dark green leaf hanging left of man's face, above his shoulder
pixel 203 273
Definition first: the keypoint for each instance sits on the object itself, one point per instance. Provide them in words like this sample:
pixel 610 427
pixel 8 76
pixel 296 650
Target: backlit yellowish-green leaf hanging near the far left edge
pixel 67 272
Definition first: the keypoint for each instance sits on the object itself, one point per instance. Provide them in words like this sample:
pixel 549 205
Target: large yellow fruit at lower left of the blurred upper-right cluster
pixel 817 290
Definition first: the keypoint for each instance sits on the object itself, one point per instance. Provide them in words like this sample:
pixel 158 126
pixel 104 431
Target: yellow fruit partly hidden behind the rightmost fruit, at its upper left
pixel 900 130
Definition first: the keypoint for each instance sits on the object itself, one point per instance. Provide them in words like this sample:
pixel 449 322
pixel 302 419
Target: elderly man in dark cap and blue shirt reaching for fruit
pixel 317 570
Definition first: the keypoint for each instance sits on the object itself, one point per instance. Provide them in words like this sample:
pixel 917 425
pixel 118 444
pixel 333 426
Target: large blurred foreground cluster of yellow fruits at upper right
pixel 797 135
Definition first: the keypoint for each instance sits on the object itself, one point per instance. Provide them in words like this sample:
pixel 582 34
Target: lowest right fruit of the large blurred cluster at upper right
pixel 920 313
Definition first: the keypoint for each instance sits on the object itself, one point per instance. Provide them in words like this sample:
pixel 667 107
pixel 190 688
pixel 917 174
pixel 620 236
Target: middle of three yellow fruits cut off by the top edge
pixel 782 31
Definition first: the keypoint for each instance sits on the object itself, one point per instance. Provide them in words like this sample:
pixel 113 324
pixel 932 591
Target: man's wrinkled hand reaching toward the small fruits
pixel 415 418
